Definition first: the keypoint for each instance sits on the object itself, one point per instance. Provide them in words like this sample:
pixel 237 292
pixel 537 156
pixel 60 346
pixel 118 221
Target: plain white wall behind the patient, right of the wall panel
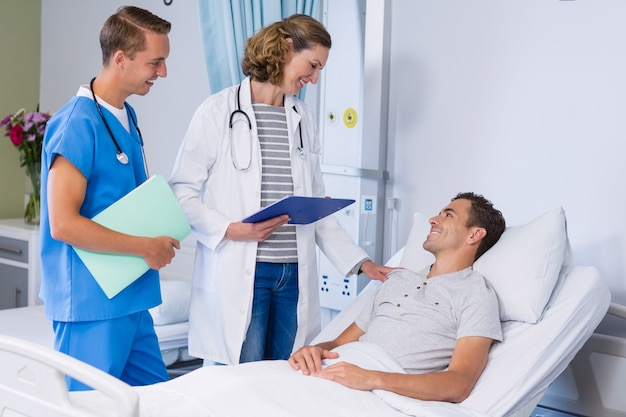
pixel 523 101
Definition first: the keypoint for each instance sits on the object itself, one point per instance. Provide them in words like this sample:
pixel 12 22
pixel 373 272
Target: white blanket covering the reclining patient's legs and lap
pixel 272 388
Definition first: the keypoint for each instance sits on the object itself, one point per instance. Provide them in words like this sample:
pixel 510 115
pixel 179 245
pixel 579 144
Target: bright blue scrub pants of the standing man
pixel 126 347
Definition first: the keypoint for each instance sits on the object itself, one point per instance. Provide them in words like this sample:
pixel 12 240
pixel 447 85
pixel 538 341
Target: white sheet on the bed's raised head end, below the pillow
pixel 581 301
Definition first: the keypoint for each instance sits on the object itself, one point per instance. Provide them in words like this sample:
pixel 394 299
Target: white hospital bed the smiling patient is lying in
pixel 549 309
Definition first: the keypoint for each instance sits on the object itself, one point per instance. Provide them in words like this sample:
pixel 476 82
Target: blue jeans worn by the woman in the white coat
pixel 274 322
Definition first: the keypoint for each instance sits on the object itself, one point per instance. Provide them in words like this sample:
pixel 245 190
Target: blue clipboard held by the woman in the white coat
pixel 302 210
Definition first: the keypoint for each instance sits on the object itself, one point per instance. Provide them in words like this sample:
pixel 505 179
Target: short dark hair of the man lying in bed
pixel 483 214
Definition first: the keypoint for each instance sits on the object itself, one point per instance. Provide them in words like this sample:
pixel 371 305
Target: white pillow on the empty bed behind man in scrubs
pixel 176 295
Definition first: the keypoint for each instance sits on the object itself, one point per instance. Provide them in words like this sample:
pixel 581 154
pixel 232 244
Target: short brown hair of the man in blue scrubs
pixel 126 30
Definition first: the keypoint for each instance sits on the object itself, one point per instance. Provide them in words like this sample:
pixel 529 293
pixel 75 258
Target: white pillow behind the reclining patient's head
pixel 522 267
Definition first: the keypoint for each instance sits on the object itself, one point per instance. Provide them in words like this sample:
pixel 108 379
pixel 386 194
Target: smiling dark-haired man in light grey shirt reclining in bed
pixel 438 324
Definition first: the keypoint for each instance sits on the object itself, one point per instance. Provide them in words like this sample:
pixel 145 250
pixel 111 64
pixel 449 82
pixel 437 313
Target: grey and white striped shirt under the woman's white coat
pixel 276 180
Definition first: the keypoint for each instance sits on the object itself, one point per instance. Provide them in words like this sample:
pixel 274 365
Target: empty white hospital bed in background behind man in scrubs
pixel 170 318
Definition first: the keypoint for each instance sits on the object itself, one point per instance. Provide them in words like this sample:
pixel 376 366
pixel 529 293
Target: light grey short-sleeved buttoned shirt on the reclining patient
pixel 417 320
